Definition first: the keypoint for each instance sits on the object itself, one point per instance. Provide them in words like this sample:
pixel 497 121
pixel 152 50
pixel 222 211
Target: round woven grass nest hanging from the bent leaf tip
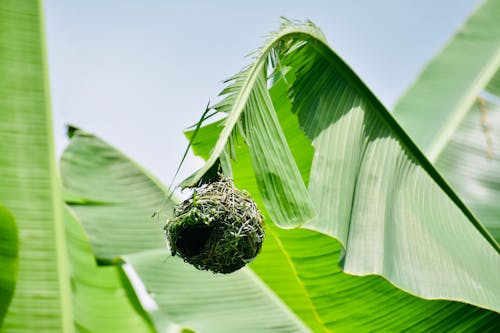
pixel 218 228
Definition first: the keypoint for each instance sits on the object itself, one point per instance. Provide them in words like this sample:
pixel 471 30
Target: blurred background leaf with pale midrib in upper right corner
pixel 456 129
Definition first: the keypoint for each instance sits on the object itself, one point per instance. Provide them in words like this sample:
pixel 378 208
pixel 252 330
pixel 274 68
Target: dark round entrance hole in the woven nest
pixel 192 239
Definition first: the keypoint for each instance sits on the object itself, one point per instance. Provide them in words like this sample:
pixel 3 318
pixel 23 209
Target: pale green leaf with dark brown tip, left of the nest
pixel 102 187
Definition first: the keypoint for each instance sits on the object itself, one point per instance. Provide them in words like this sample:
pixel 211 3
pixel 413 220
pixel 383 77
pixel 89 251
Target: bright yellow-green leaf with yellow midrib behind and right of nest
pixel 300 266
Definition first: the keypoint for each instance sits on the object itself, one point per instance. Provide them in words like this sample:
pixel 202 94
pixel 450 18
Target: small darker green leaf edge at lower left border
pixel 9 259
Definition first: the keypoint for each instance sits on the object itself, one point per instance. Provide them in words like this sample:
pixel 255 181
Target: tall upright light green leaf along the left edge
pixel 29 186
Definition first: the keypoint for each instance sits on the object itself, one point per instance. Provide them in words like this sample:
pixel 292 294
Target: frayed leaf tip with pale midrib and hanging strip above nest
pixel 249 108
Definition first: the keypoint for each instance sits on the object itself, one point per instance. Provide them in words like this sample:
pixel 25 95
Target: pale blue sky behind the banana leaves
pixel 137 73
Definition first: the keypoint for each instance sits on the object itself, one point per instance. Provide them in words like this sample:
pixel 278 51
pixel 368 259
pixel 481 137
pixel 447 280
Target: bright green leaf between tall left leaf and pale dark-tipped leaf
pixel 102 300
